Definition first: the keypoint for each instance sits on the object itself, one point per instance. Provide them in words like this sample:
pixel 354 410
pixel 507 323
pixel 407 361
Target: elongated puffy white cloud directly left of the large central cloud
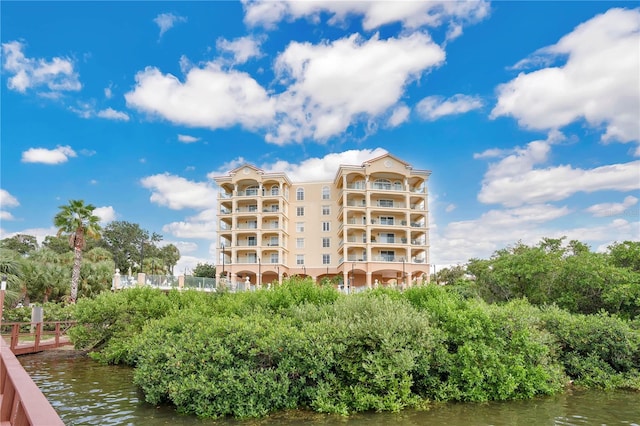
pixel 210 97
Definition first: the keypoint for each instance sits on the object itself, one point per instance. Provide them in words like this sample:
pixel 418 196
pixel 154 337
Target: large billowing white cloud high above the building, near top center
pixel 326 82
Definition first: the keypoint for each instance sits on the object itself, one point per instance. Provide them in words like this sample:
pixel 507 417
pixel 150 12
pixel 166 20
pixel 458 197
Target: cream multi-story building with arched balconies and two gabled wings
pixel 368 227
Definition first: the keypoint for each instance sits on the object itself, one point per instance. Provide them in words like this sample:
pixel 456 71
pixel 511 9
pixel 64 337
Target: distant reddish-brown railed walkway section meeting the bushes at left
pixel 31 337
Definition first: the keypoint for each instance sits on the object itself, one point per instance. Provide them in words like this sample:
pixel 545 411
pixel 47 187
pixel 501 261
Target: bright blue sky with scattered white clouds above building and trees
pixel 527 113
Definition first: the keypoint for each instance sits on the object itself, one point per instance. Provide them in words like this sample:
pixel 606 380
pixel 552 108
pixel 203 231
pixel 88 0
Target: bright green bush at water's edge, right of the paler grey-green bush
pixel 487 353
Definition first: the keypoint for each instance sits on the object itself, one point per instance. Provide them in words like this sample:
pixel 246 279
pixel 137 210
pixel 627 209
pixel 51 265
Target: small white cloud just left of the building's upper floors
pixel 178 193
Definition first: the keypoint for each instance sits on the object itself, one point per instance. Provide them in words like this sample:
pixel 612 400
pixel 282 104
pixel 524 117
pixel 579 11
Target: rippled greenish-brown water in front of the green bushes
pixel 86 393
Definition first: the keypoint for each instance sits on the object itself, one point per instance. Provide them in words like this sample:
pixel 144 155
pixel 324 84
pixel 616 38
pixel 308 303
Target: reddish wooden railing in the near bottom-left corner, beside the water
pixel 21 402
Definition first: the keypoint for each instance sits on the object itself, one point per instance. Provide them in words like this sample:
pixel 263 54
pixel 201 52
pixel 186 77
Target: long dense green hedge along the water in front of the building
pixel 304 346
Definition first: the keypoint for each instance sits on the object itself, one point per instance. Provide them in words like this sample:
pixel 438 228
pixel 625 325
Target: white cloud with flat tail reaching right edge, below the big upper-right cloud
pixel 514 180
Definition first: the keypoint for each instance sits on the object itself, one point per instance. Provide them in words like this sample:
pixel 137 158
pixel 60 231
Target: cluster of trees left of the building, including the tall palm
pixel 81 258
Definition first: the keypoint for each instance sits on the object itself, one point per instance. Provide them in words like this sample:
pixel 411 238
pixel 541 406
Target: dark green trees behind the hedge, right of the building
pixel 567 274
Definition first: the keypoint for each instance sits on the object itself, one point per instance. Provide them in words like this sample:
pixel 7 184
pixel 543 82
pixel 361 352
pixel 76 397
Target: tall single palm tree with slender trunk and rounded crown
pixel 76 219
